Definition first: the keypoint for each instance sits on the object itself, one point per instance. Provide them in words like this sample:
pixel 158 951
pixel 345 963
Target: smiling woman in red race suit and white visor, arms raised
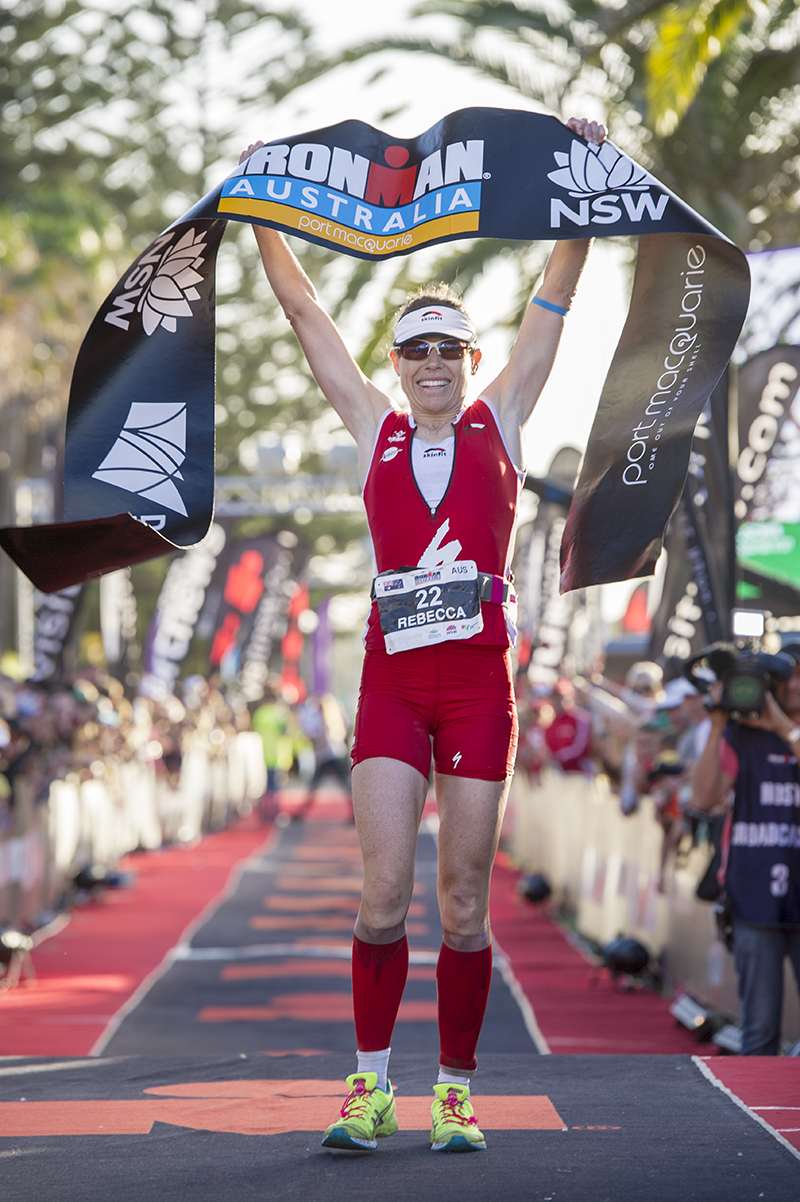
pixel 441 484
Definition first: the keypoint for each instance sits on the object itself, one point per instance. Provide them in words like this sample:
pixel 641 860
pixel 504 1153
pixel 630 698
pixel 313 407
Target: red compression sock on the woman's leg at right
pixel 463 981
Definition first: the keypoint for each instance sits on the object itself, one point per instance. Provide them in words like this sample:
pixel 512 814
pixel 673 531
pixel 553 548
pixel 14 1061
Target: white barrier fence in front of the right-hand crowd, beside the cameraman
pixel 606 870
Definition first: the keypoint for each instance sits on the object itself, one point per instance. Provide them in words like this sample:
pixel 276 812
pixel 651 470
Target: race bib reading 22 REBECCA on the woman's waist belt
pixel 421 606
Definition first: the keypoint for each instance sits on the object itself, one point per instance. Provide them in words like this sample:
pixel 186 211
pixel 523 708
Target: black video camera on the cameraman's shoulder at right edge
pixel 747 677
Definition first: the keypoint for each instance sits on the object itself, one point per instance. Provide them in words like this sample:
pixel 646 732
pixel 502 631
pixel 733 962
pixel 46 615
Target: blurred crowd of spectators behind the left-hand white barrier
pixel 87 727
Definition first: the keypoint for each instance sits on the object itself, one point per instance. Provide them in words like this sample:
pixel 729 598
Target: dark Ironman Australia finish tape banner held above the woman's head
pixel 140 441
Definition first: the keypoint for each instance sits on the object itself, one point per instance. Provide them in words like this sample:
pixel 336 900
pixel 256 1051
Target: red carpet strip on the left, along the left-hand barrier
pixel 92 968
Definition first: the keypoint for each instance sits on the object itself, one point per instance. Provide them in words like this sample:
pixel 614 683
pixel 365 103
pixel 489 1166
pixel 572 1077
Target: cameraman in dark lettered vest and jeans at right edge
pixel 757 761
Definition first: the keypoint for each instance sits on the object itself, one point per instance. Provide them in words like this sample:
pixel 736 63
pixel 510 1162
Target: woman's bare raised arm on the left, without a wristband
pixel 356 400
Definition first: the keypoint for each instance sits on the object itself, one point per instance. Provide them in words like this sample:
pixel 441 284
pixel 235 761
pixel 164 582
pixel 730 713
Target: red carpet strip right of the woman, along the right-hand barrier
pixel 577 1008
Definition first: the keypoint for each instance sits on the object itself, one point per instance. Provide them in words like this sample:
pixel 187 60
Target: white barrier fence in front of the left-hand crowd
pixel 129 806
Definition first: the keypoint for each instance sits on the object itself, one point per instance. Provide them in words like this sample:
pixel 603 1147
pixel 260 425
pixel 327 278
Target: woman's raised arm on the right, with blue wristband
pixel 520 385
